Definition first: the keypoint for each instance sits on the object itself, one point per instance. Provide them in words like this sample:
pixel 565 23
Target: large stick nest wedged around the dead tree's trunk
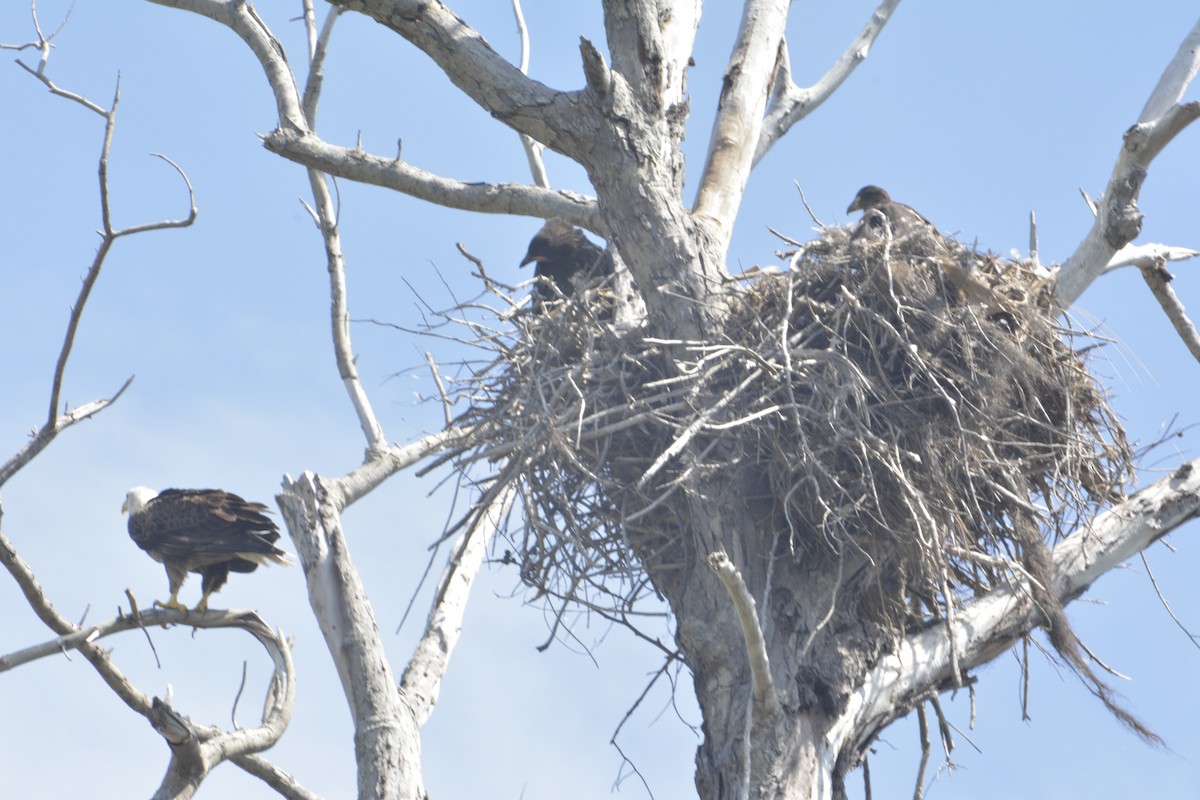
pixel 913 400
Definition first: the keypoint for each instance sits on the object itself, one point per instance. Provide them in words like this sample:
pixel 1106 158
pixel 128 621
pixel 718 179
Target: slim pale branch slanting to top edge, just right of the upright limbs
pixel 790 104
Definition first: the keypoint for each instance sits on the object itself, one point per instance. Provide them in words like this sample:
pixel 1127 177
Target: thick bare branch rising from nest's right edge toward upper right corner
pixel 1119 221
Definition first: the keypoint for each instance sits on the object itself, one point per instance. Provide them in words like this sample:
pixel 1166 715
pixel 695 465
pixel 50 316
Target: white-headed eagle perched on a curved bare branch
pixel 209 532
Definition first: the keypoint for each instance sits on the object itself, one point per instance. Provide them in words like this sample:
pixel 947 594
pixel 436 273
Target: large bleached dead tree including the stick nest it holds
pixel 759 452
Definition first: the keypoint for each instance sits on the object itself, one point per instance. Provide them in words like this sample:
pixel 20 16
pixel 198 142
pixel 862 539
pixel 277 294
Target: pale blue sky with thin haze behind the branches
pixel 974 113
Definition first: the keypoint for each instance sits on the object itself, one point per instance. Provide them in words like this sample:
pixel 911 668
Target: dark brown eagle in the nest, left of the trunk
pixel 567 262
